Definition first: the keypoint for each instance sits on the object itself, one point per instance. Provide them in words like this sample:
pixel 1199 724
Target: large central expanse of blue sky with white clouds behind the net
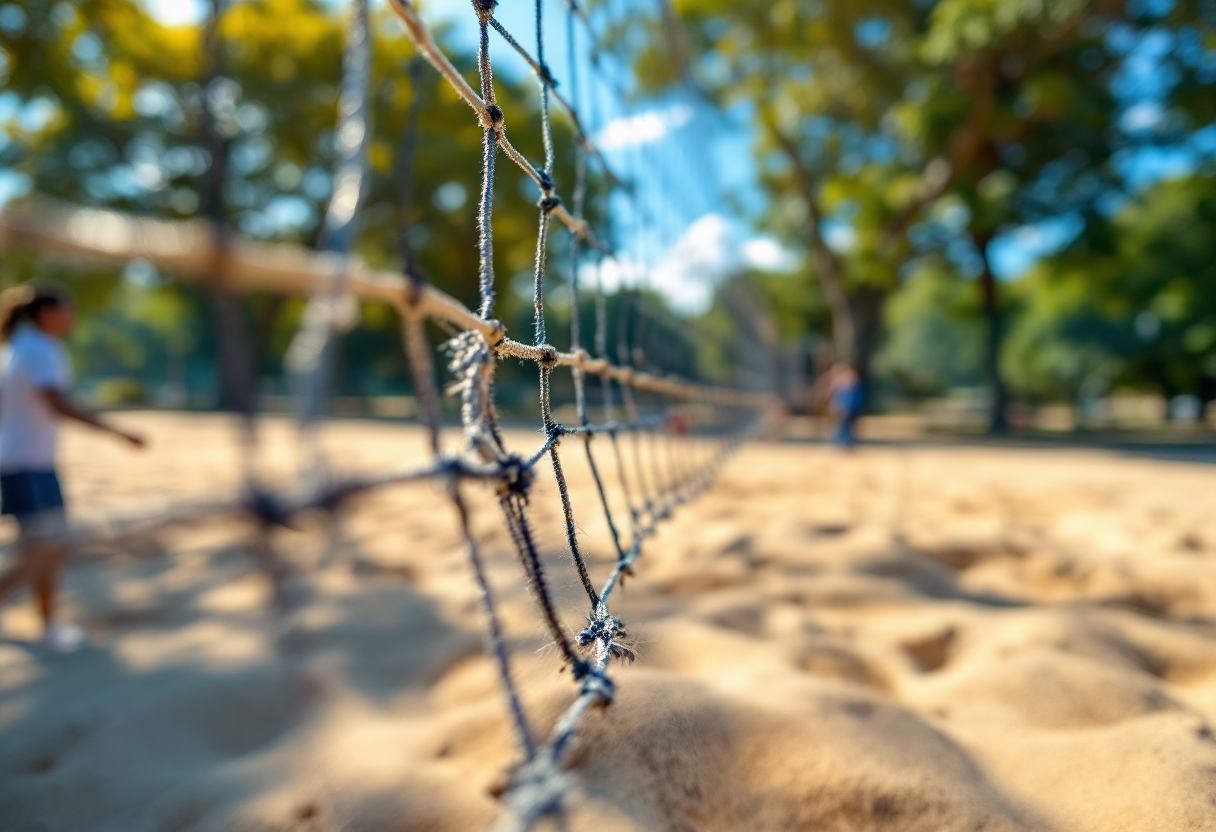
pixel 675 235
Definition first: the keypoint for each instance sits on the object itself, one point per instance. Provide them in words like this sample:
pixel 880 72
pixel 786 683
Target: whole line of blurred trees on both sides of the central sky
pixel 898 147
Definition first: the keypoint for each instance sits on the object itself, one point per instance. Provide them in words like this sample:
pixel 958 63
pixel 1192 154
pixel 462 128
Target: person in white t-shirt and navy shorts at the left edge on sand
pixel 36 379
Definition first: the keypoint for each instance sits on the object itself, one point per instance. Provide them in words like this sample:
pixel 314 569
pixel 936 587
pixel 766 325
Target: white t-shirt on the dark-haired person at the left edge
pixel 30 430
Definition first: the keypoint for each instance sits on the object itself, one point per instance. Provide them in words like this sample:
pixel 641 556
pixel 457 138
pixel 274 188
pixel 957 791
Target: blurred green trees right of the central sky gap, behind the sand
pixel 898 142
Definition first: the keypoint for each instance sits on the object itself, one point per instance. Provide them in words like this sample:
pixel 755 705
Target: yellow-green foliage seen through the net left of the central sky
pixel 110 114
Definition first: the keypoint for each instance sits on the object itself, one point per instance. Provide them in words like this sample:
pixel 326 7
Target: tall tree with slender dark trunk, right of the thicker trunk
pixel 1034 82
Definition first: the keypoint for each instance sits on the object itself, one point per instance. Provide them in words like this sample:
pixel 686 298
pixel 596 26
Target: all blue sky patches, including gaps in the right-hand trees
pixel 649 140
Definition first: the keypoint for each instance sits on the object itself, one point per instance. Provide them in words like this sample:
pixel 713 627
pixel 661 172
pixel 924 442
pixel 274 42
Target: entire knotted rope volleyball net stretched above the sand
pixel 686 429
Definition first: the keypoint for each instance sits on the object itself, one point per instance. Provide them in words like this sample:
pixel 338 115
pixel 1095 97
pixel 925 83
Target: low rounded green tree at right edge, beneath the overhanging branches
pixel 1134 303
